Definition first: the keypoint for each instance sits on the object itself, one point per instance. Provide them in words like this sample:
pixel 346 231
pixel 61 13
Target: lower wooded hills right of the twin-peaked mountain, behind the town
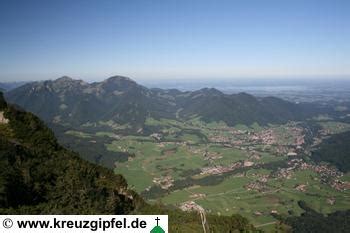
pixel 241 108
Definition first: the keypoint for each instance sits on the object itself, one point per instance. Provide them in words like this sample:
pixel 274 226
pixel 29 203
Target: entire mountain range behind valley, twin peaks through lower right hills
pixel 75 102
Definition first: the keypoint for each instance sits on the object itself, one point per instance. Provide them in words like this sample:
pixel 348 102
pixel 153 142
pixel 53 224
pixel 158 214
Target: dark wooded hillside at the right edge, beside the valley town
pixel 335 150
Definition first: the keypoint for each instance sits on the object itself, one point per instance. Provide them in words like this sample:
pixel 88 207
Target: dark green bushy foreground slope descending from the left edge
pixel 38 176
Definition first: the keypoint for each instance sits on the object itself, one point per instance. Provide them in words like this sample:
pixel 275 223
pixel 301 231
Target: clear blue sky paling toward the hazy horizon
pixel 174 39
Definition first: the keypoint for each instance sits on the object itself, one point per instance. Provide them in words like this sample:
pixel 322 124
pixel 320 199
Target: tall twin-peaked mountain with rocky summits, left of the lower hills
pixel 75 102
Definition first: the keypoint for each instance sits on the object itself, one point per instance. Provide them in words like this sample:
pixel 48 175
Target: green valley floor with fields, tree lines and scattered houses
pixel 254 170
